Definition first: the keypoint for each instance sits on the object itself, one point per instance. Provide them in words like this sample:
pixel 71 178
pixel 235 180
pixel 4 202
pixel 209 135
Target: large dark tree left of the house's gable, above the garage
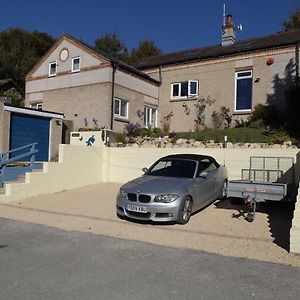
pixel 19 52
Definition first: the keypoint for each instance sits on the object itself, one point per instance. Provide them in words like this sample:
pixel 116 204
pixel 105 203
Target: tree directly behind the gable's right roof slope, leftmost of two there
pixel 111 44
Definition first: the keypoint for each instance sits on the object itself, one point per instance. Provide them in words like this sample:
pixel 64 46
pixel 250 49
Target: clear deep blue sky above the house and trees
pixel 172 24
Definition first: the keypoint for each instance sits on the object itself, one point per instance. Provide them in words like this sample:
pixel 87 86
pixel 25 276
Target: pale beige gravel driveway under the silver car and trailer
pixel 220 228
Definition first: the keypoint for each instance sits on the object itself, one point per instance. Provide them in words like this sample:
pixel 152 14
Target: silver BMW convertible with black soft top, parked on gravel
pixel 172 189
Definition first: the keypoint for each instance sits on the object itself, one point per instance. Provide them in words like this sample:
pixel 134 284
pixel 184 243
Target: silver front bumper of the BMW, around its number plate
pixel 157 212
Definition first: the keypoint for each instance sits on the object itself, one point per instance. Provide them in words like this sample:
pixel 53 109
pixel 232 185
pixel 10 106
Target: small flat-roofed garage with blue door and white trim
pixel 24 126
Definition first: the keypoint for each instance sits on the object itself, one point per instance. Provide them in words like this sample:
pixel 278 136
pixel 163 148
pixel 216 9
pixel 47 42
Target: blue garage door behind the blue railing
pixel 27 129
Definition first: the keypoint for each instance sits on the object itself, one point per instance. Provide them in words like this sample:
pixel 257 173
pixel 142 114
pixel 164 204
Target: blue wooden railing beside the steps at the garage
pixel 6 158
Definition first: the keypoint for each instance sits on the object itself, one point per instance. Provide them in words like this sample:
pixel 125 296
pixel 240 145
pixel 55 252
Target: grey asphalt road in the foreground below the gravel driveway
pixel 41 262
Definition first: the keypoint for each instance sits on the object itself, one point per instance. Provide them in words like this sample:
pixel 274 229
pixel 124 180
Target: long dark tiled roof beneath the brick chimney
pixel 245 46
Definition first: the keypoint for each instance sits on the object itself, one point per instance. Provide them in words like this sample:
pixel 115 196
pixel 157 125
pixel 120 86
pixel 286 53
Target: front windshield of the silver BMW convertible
pixel 181 168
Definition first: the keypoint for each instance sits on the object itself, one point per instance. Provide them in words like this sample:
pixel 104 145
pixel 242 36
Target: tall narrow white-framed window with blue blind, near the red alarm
pixel 243 92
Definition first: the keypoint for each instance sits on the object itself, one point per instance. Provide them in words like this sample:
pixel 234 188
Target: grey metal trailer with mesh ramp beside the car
pixel 267 179
